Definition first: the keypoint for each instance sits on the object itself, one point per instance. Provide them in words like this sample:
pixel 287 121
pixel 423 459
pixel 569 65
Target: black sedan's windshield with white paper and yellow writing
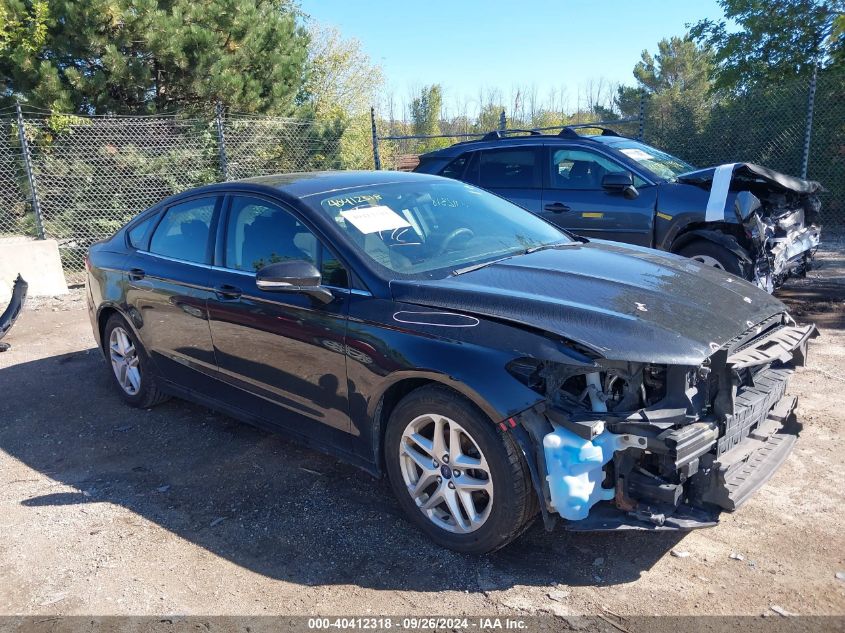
pixel 433 229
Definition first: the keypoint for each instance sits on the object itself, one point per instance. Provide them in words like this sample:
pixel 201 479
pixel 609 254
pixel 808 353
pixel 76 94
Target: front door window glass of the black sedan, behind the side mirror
pixel 259 233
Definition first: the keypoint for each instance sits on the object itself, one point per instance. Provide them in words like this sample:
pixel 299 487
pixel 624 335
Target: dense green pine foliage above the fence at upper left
pixel 144 56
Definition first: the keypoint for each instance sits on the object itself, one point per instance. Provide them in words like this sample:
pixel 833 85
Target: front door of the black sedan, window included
pixel 283 350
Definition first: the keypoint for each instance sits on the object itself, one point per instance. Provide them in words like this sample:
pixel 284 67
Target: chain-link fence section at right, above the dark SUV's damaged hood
pixel 767 125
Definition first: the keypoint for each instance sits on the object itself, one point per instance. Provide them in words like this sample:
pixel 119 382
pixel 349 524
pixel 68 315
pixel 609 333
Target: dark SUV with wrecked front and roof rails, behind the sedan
pixel 748 220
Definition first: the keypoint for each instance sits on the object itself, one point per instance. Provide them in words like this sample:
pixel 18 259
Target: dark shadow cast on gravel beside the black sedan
pixel 261 501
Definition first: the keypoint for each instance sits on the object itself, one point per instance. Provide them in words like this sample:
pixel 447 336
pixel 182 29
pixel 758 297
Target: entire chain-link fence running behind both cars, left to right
pixel 86 176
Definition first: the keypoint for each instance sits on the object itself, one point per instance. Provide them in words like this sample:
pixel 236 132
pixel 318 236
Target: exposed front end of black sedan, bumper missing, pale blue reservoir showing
pixel 642 446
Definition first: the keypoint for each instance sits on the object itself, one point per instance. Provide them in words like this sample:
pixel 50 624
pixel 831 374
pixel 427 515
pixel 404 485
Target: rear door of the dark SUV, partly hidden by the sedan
pixel 513 172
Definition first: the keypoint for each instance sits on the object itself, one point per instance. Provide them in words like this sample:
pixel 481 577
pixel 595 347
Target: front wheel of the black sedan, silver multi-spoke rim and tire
pixel 457 477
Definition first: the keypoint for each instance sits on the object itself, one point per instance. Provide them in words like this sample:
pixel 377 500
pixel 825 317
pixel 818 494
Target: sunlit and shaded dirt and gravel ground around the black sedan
pixel 109 510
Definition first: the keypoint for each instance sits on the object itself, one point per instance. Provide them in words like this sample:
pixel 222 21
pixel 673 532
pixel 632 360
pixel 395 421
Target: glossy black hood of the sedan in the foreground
pixel 626 303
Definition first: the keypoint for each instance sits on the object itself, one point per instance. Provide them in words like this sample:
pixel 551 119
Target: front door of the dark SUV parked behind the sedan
pixel 574 198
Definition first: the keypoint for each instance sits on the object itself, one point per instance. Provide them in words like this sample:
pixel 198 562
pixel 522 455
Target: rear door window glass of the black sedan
pixel 183 231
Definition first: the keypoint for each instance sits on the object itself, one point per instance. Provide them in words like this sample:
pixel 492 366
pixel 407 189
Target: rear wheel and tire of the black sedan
pixel 131 369
